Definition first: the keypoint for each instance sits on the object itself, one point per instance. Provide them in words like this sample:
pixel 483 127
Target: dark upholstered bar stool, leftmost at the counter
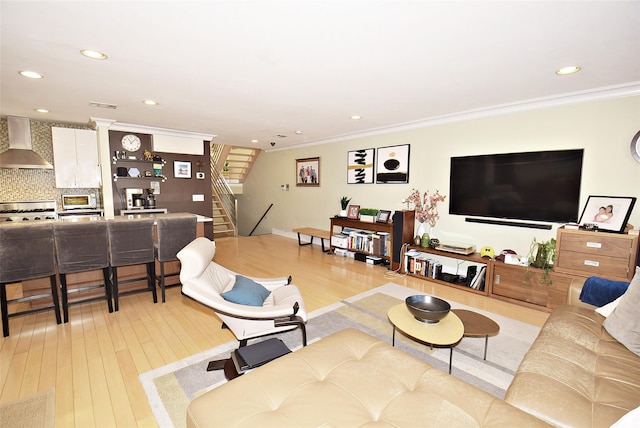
pixel 26 252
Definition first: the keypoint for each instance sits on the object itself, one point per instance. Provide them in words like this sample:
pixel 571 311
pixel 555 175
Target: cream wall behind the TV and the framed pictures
pixel 604 129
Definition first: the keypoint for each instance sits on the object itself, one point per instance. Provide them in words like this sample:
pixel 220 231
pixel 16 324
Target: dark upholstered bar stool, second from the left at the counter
pixel 82 246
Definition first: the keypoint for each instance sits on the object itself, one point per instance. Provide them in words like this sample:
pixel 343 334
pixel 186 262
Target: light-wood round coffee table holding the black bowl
pixel 446 333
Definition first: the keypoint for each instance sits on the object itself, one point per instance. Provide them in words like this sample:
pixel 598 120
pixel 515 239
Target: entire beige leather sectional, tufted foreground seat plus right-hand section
pixel 575 374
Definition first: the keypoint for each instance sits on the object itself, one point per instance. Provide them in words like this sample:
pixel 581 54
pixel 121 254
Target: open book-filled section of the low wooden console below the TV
pixel 426 263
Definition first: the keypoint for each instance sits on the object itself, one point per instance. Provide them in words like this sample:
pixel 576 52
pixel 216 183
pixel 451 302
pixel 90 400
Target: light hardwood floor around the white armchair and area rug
pixel 94 361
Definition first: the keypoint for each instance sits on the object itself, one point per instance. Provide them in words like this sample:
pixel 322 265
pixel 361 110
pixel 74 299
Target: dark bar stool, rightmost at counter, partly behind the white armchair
pixel 175 231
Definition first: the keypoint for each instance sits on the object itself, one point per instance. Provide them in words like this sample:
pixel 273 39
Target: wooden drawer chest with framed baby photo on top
pixel 608 255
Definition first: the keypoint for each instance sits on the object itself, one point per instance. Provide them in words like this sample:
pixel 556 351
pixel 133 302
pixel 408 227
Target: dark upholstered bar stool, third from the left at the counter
pixel 131 243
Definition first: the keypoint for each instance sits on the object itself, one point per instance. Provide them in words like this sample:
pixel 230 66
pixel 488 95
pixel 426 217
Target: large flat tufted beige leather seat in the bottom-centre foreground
pixel 351 379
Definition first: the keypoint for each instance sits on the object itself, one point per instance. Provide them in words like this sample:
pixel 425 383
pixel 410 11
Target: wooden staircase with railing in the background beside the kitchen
pixel 229 168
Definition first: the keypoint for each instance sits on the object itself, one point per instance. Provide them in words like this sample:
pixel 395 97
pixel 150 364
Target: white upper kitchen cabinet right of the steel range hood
pixel 75 157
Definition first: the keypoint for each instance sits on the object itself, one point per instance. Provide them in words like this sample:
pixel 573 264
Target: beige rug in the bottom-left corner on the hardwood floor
pixel 34 411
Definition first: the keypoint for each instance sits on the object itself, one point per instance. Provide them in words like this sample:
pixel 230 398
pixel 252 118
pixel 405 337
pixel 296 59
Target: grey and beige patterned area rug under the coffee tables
pixel 171 388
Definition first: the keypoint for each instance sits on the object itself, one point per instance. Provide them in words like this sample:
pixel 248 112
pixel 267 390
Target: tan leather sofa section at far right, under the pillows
pixel 576 374
